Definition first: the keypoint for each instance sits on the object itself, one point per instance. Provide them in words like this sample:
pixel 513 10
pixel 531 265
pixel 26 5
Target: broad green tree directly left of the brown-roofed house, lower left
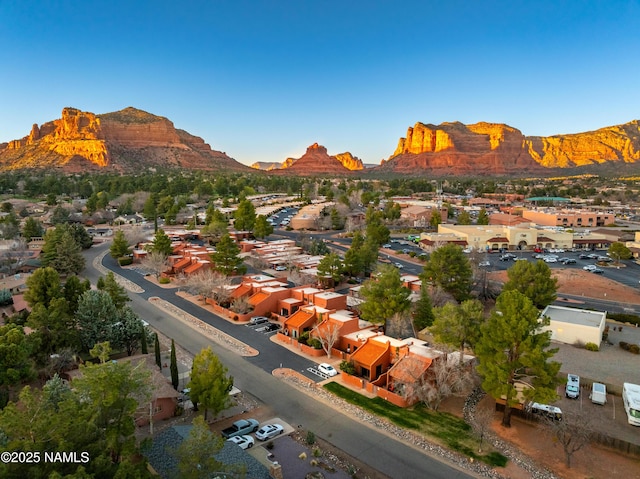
pixel 114 391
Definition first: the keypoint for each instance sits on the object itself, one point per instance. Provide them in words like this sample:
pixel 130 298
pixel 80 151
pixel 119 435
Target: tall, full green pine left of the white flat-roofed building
pixel 512 348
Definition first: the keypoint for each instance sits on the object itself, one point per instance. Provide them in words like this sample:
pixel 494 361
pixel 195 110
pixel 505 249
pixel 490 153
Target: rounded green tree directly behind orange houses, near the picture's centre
pixel 384 295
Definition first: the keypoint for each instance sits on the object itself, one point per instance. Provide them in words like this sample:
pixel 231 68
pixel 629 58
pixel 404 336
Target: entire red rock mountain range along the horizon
pixel 134 140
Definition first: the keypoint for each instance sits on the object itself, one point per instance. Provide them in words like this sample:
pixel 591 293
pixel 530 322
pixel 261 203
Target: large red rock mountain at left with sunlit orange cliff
pixel 126 140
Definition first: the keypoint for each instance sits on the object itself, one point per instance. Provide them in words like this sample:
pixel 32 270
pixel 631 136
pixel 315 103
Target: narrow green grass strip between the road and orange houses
pixel 442 428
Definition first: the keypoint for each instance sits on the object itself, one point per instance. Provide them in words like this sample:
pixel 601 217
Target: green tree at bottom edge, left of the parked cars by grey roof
pixel 196 454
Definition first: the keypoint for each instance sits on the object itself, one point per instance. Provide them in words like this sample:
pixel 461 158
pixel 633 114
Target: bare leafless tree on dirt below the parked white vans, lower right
pixel 573 432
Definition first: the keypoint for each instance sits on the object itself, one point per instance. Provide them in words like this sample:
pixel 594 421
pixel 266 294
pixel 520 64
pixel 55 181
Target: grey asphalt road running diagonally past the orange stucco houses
pixel 369 445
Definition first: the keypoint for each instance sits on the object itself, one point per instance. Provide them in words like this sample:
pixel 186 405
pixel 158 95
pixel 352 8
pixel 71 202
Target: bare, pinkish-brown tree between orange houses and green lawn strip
pixel 445 377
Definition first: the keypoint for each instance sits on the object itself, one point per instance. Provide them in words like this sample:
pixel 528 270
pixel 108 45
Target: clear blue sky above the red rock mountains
pixel 262 80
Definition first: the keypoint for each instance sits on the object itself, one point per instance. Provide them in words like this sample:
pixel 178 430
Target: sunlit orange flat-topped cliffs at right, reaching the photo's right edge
pixel 497 149
